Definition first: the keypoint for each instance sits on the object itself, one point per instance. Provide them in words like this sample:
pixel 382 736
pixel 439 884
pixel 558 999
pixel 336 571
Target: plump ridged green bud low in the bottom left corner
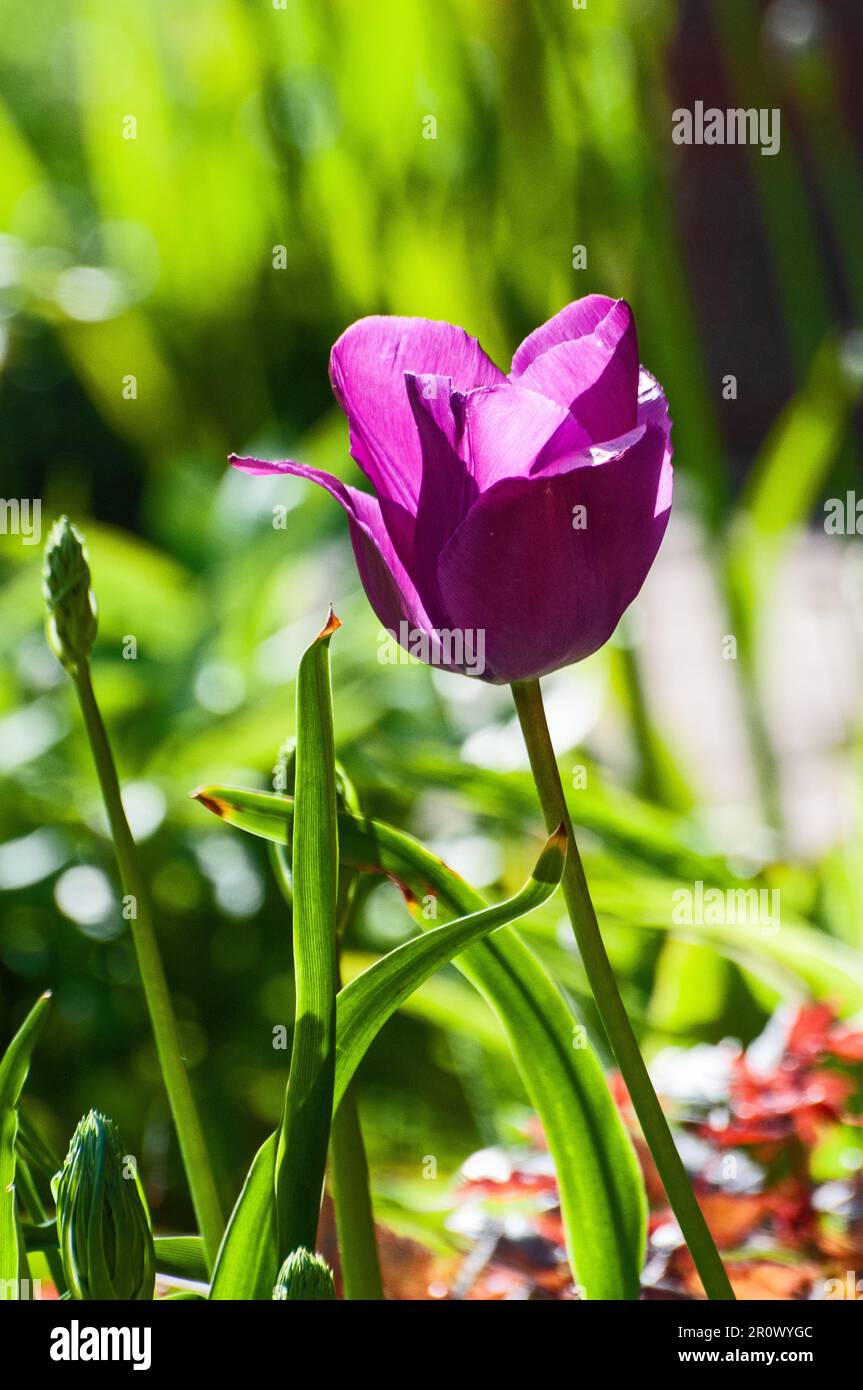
pixel 106 1242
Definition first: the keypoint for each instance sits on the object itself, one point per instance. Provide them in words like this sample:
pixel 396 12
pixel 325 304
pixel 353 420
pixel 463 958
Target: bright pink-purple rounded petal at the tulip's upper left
pixel 368 370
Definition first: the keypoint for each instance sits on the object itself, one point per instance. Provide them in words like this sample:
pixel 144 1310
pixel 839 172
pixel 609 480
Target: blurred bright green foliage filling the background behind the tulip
pixel 197 199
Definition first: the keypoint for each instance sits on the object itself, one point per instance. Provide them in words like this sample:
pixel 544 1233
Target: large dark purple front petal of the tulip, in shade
pixel 545 593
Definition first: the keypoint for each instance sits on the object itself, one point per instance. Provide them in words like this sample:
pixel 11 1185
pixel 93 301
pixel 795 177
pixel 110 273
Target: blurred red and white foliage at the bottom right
pixel 750 1154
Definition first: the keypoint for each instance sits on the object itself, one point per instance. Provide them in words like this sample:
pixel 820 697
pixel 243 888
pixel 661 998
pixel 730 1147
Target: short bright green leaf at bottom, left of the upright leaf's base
pixel 249 1259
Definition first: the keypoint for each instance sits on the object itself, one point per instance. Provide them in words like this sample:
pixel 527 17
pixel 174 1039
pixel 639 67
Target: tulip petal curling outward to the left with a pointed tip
pixel 390 589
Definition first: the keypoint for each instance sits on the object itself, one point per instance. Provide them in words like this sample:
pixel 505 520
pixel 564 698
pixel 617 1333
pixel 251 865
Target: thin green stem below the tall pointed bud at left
pixel 194 1149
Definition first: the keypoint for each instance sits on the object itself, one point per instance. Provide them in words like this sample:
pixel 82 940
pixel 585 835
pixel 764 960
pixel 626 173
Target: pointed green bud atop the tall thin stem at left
pixel 66 584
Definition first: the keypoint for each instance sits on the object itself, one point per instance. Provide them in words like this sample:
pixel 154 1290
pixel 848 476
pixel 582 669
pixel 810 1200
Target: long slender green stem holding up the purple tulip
pixel 690 1217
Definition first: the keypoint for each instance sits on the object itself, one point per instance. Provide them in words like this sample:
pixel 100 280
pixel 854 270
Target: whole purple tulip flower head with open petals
pixel 526 509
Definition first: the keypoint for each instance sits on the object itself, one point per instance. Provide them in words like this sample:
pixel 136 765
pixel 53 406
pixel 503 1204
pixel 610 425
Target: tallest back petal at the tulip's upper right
pixel 595 376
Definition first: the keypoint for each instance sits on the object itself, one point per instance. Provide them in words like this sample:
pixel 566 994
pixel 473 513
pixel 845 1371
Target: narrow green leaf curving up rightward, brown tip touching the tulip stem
pixel 366 1004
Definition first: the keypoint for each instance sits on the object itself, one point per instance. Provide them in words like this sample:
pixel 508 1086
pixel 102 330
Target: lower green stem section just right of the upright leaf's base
pixel 352 1202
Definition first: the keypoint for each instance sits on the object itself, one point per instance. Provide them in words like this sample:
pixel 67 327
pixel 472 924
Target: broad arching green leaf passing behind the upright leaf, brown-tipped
pixel 601 1188
